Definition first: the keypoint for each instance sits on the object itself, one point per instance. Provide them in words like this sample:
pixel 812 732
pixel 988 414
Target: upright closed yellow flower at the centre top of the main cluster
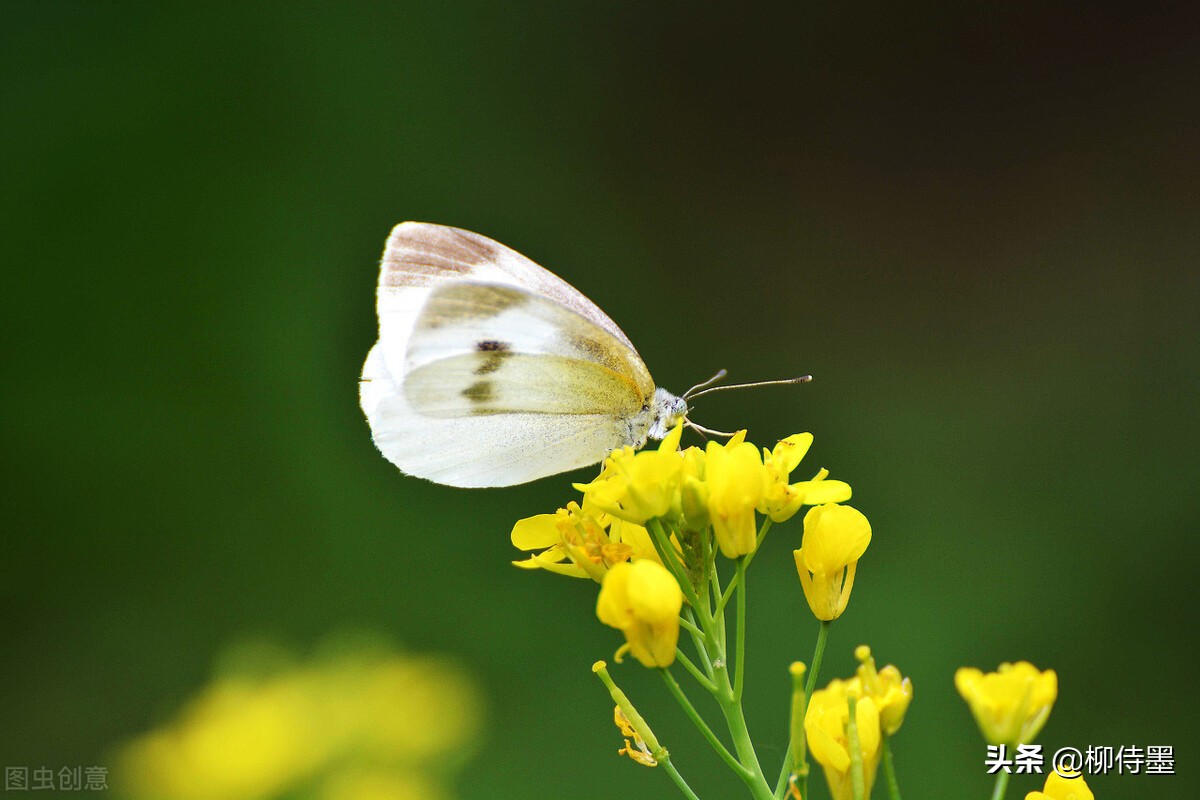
pixel 735 477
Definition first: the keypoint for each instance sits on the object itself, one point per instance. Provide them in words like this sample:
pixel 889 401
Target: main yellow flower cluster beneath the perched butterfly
pixel 721 489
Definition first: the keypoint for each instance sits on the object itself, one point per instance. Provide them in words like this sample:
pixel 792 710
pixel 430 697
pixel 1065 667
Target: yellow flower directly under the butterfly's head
pixel 638 486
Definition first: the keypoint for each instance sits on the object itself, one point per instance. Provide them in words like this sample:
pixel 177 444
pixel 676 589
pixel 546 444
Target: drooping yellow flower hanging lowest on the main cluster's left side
pixel 644 600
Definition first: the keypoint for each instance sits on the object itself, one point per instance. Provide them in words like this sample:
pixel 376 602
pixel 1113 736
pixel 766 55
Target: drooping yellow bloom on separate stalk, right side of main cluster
pixel 836 537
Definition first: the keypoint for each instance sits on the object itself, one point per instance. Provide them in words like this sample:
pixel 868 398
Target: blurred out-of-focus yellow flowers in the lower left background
pixel 361 724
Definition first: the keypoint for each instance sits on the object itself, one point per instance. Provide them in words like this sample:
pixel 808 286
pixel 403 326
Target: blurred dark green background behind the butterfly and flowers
pixel 975 225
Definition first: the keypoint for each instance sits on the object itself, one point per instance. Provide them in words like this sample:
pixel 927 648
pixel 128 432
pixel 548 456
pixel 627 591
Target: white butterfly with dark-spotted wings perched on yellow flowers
pixel 493 371
